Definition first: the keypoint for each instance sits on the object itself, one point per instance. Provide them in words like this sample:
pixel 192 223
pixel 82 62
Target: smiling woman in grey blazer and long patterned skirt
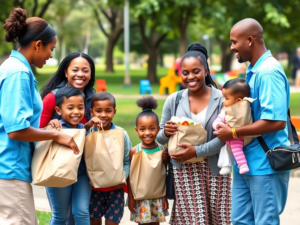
pixel 203 196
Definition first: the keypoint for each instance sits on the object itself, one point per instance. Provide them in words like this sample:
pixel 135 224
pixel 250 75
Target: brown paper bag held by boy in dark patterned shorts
pixel 104 153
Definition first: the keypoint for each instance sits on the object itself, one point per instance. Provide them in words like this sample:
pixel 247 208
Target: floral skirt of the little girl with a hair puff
pixel 149 211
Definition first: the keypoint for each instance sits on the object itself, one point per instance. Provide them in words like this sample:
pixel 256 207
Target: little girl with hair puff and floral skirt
pixel 150 211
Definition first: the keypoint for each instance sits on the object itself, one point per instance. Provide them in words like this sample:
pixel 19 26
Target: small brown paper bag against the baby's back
pixel 239 114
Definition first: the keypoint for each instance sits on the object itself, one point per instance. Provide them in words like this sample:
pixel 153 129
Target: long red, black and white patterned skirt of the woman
pixel 201 199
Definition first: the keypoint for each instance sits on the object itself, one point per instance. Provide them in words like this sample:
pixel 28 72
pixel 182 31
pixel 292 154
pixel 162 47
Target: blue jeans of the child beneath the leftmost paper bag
pixel 77 194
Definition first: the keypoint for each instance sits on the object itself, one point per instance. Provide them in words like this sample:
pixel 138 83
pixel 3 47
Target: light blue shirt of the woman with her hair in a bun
pixel 20 107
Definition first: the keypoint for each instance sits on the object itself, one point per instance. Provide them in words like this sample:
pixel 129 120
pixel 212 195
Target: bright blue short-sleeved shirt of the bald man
pixel 270 87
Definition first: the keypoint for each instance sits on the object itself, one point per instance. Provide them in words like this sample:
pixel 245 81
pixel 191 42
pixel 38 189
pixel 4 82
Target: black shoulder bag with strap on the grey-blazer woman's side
pixel 170 189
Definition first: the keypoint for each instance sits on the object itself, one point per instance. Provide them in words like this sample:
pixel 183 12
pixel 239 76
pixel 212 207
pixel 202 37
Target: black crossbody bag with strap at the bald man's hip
pixel 283 158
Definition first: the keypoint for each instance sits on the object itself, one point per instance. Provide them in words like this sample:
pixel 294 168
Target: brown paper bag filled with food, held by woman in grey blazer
pixel 192 135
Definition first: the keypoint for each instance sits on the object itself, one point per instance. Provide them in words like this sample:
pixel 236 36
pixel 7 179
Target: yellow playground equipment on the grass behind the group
pixel 169 82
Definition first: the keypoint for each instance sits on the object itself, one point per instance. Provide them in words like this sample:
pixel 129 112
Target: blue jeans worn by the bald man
pixel 258 199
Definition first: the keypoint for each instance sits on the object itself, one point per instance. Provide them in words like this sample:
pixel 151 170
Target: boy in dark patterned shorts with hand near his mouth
pixel 108 201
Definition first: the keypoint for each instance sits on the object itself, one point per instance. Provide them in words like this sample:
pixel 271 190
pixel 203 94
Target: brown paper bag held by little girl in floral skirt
pixel 147 175
